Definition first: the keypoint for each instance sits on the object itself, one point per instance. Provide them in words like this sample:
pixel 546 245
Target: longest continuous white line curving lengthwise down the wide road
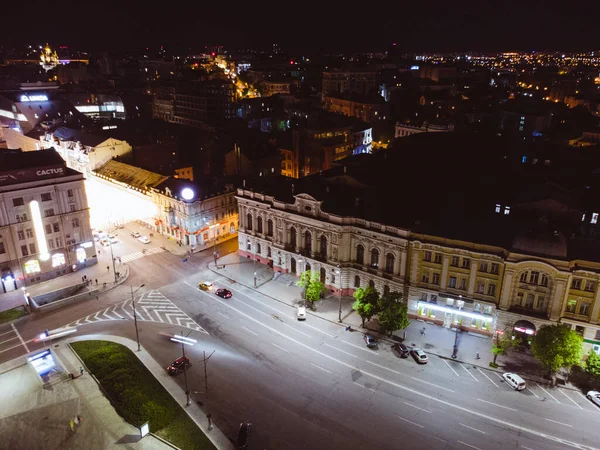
pixel 415 391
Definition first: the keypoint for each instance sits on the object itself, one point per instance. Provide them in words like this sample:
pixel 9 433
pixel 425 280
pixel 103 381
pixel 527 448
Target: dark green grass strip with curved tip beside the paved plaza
pixel 138 396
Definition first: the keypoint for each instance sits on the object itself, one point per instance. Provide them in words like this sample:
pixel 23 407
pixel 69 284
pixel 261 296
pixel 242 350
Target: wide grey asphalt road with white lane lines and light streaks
pixel 312 385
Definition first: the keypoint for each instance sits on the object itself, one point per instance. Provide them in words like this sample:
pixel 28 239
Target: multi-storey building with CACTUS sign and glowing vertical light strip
pixel 44 219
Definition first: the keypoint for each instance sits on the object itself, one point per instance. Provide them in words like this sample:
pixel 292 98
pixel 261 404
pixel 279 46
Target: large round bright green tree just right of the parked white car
pixel 555 347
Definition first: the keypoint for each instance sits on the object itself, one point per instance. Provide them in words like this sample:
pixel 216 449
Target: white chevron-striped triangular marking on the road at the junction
pixel 151 307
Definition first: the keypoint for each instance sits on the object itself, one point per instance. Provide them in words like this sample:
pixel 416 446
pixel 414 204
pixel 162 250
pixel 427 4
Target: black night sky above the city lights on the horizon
pixel 432 25
